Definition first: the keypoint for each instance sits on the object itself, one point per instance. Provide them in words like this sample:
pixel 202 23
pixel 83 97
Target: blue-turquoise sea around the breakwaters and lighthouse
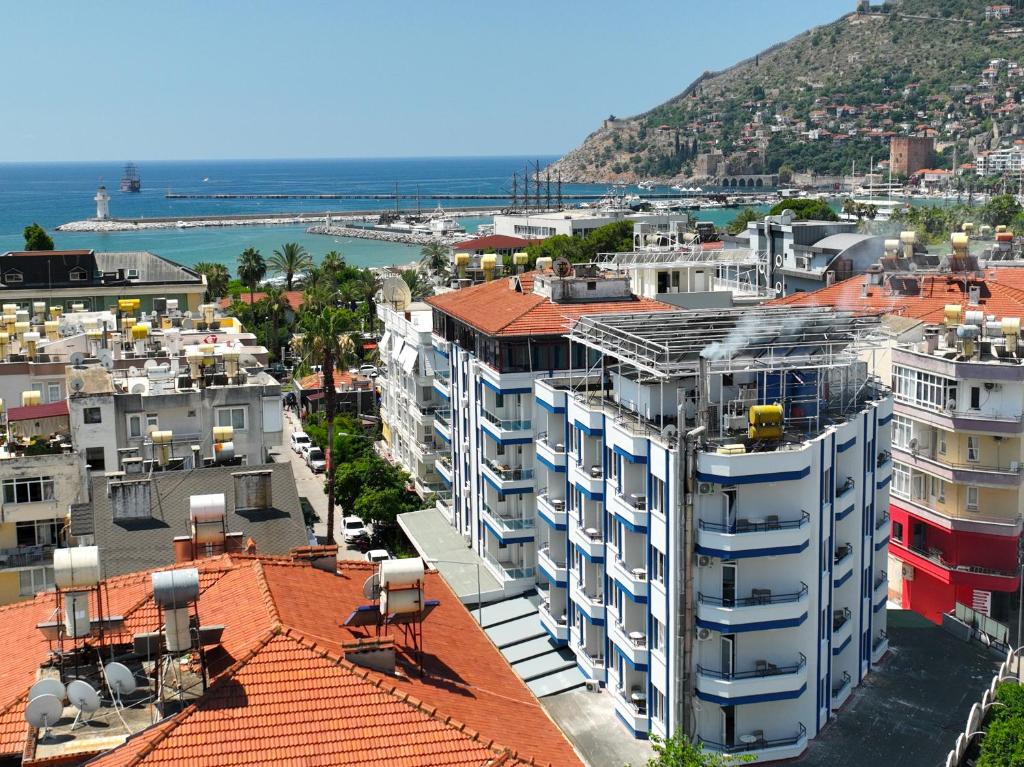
pixel 52 194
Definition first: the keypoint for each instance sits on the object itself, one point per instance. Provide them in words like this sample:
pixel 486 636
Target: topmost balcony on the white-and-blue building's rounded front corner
pixel 767 536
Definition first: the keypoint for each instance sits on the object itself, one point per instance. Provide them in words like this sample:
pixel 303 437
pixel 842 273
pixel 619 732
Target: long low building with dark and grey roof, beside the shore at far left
pixel 97 281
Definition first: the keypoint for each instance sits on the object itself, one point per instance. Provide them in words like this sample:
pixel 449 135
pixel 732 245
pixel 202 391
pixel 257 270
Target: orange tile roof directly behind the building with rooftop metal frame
pixel 498 309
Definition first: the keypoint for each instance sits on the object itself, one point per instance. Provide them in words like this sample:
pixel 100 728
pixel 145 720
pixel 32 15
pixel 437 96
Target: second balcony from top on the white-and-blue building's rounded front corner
pixel 760 612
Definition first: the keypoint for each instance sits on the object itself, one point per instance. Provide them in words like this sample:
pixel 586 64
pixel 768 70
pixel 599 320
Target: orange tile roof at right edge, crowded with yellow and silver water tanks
pixel 1002 294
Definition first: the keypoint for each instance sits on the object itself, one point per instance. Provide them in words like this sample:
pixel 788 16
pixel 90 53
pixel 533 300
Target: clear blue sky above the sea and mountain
pixel 104 80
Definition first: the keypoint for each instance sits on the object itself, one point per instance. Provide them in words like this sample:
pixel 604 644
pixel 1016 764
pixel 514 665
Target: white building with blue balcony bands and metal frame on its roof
pixel 712 520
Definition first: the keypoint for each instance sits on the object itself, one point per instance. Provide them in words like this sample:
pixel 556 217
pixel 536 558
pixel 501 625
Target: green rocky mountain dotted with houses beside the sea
pixel 830 98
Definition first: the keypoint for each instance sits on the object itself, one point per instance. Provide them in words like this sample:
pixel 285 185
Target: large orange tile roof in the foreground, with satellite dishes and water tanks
pixel 283 694
